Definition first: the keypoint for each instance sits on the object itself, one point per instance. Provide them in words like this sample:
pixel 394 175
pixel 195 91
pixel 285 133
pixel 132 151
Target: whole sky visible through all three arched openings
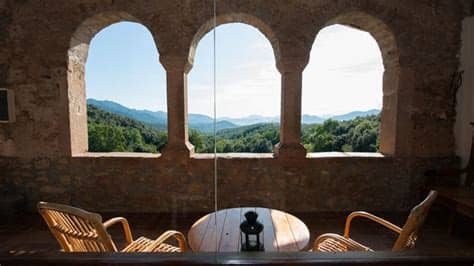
pixel 344 73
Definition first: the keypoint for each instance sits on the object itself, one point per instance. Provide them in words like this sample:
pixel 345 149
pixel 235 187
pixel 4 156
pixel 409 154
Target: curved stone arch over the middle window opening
pixel 234 18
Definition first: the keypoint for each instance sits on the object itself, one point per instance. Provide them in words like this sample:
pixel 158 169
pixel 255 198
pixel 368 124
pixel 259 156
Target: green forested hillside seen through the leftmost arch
pixel 110 132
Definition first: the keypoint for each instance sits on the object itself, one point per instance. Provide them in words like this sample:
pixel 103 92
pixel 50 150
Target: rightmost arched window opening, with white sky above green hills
pixel 342 92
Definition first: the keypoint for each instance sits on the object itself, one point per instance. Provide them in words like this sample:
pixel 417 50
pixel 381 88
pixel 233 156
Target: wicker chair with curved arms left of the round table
pixel 77 230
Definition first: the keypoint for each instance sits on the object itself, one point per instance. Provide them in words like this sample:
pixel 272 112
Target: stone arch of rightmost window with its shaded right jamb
pixel 387 44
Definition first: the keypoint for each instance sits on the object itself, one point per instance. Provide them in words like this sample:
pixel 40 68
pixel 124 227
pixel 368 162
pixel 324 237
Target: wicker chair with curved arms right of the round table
pixel 406 239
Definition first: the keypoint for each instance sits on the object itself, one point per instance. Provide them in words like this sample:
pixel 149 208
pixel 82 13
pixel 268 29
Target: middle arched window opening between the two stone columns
pixel 248 92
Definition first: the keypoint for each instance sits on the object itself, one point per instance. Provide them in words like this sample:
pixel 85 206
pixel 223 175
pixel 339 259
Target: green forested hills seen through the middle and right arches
pixel 357 135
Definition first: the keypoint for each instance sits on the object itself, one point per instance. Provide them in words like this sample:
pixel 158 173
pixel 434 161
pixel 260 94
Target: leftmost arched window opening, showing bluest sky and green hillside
pixel 126 91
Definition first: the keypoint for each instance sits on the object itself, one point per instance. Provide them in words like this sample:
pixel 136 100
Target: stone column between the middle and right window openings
pixel 291 70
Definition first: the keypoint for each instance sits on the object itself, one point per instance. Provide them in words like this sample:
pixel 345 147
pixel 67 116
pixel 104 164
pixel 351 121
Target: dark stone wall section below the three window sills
pixel 114 184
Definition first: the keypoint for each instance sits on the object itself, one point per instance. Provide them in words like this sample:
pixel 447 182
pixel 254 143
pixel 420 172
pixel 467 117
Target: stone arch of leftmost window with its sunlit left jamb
pixel 76 60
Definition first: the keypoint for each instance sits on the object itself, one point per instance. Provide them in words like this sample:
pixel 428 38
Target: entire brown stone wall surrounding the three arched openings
pixel 43 48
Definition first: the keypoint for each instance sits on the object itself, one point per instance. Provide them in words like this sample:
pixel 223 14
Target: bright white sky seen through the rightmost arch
pixel 344 73
